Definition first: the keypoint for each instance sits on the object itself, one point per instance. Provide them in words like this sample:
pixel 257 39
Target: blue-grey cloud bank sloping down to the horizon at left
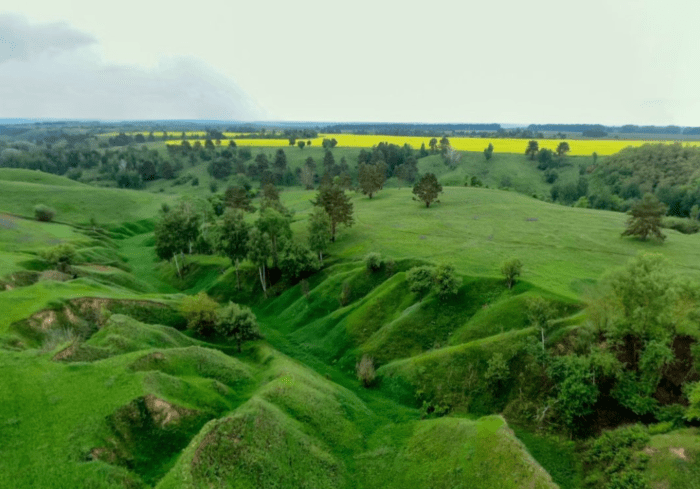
pixel 52 70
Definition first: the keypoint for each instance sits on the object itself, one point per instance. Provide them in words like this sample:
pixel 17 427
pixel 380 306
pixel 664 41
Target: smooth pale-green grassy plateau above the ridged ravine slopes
pixel 563 249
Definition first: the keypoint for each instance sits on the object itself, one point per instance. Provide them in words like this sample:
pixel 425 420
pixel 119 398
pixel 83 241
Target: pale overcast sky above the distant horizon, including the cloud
pixel 611 62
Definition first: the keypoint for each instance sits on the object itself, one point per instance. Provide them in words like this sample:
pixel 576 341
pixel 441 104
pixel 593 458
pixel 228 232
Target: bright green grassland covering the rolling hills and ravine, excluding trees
pixel 104 387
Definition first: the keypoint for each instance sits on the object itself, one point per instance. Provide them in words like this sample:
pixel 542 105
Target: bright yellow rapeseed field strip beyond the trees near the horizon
pixel 578 147
